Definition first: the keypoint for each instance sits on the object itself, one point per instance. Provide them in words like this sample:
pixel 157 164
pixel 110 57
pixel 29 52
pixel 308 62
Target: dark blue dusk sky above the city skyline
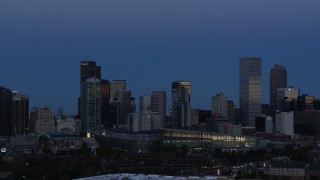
pixel 152 43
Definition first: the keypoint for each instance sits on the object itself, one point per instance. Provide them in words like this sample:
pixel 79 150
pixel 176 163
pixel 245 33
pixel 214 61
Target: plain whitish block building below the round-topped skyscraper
pixel 285 123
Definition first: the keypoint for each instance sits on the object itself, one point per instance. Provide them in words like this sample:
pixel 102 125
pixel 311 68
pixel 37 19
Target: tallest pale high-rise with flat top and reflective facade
pixel 250 90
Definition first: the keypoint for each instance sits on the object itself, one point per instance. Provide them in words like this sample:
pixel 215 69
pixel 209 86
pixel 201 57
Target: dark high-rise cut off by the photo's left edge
pixel 6 121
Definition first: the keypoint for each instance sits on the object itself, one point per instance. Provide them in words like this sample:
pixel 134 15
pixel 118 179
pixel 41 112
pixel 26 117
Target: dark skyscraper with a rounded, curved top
pixel 278 79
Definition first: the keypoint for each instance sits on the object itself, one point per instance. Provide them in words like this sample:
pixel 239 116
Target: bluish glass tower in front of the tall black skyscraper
pixel 91 101
